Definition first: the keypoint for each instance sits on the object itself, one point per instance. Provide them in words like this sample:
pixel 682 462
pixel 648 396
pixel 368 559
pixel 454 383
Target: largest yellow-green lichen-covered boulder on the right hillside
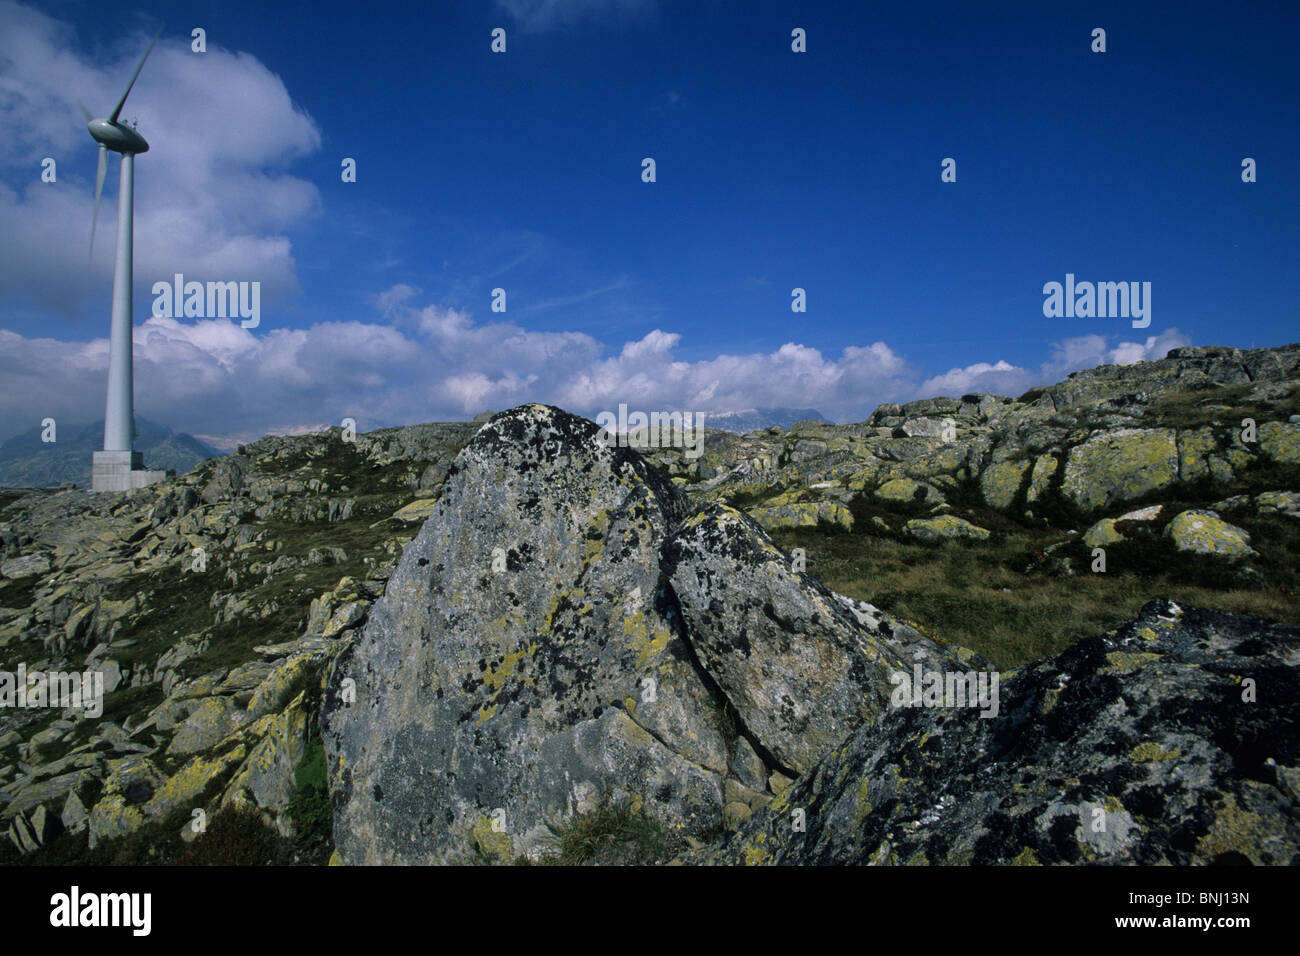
pixel 1120 466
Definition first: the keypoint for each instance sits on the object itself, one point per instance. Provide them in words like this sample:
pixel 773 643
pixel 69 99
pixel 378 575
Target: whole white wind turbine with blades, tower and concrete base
pixel 119 468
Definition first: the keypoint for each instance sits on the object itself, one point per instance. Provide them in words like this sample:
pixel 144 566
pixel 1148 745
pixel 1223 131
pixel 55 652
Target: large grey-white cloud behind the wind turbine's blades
pixel 210 196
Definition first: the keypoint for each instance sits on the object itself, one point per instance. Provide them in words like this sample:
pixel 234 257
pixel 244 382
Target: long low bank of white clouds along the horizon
pixel 414 365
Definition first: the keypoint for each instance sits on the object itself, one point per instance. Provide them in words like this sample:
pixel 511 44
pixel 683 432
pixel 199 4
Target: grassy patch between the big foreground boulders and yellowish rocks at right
pixel 1002 600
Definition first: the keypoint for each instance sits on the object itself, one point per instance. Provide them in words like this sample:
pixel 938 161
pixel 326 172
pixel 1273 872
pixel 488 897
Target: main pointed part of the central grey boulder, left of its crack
pixel 526 661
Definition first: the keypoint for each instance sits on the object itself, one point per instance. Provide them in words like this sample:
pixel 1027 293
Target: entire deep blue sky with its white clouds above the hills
pixel 523 171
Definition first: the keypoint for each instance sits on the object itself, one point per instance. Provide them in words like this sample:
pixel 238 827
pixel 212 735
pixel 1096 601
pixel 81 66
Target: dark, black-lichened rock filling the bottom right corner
pixel 1167 742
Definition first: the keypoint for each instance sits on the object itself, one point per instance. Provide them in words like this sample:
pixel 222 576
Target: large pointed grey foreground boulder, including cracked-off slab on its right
pixel 561 637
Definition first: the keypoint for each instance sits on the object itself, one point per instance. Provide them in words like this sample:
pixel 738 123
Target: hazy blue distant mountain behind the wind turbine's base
pixel 28 462
